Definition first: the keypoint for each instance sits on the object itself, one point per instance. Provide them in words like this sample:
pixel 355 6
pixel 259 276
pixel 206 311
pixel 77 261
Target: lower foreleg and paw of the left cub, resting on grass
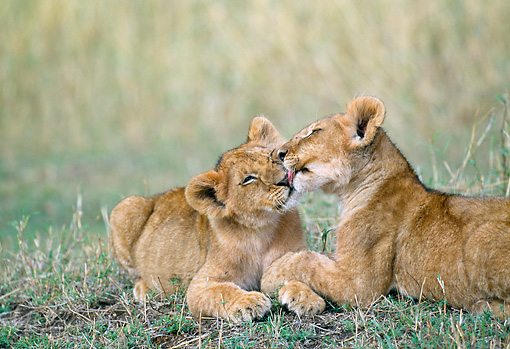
pixel 207 296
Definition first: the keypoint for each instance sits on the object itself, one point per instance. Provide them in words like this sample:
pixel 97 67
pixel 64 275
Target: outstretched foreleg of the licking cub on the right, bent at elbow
pixel 340 282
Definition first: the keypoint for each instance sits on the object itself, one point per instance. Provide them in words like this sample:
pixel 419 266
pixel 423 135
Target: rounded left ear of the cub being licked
pixel 201 194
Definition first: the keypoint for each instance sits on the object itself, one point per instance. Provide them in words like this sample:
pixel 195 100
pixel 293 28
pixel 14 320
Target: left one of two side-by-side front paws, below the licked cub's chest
pixel 248 306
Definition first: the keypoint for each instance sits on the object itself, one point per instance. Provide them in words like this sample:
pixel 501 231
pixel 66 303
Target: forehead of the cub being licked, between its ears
pixel 244 157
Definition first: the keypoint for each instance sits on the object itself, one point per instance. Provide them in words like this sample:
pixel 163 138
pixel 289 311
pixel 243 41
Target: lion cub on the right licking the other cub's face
pixel 394 232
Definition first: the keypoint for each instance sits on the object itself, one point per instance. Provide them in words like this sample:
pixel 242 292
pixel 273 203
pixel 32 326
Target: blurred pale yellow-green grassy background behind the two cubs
pixel 112 98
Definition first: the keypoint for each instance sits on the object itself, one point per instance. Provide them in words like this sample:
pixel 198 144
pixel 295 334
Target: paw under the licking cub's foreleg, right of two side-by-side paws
pixel 301 299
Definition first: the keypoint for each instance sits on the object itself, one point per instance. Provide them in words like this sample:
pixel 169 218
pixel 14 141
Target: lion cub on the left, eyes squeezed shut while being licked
pixel 217 235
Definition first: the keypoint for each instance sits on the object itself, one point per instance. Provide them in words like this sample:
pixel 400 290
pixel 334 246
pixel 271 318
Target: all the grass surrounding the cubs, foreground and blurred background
pixel 100 100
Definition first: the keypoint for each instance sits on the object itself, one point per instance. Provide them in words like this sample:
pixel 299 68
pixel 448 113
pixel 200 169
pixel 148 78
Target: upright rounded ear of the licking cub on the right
pixel 364 116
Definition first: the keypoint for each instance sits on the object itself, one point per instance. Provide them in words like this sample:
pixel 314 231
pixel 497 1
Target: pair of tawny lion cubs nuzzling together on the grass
pixel 234 230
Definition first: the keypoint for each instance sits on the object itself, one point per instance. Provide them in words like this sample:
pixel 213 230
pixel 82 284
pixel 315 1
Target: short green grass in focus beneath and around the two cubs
pixel 67 292
